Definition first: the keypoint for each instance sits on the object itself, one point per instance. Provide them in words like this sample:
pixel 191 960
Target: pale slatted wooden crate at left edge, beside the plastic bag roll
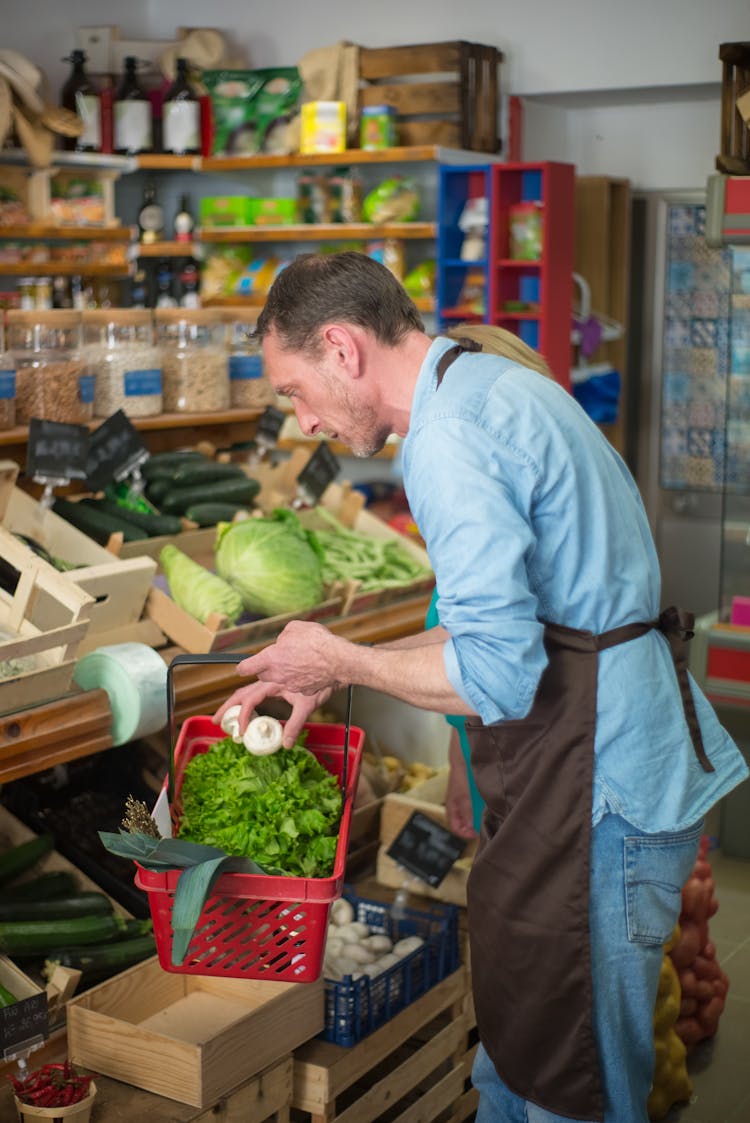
pixel 42 627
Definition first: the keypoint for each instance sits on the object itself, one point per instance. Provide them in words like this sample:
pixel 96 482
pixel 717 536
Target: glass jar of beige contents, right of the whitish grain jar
pixel 194 351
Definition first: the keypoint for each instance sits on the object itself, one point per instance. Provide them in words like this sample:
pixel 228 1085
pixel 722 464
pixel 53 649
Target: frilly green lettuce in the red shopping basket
pixel 282 810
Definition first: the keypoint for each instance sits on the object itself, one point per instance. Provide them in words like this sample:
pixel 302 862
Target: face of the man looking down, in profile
pixel 326 400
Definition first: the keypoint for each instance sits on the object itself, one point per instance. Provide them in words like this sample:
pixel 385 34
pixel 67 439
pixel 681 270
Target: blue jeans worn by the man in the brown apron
pixel 636 893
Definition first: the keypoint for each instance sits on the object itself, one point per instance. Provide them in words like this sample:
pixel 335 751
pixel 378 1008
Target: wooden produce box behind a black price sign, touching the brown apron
pixel 398 808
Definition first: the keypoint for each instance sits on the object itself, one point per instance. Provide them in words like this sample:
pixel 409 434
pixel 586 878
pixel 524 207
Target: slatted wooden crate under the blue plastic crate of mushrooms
pixel 414 1062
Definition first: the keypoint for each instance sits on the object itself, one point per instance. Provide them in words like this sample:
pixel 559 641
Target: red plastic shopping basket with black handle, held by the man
pixel 254 926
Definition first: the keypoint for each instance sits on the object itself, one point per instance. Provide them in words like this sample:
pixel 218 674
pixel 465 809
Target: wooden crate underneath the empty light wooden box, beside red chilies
pixel 263 1099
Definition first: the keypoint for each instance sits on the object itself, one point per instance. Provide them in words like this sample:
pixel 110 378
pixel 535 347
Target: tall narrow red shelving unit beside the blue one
pixel 534 298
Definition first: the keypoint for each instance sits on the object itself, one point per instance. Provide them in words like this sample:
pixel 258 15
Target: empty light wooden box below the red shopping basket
pixel 189 1038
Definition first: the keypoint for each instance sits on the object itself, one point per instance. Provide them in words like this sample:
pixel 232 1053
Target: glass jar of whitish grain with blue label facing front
pixel 121 353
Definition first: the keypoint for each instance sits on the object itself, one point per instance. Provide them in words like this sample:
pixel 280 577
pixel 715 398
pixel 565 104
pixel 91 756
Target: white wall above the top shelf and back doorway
pixel 618 89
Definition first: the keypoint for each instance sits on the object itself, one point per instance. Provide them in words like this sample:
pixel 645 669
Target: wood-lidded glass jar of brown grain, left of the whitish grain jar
pixel 51 379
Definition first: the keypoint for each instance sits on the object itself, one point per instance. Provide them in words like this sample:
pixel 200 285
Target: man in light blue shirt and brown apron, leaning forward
pixel 596 759
